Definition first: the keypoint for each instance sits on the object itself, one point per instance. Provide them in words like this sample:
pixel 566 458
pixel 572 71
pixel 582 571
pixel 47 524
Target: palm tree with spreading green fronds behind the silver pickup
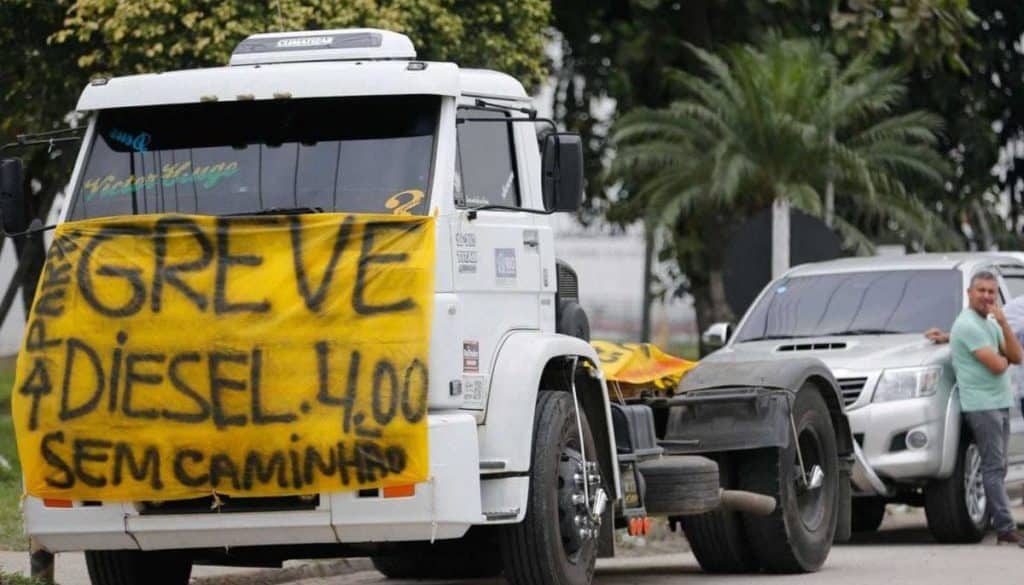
pixel 784 122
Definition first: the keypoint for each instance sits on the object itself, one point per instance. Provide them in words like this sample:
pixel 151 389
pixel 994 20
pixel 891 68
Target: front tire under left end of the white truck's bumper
pixel 135 567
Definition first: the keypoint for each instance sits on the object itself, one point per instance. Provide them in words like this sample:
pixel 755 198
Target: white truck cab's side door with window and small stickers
pixel 497 261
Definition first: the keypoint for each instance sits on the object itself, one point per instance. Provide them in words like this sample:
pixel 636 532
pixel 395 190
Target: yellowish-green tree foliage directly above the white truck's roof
pixel 161 35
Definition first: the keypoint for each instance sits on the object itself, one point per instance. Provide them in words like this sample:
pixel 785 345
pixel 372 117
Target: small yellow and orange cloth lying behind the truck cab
pixel 642 364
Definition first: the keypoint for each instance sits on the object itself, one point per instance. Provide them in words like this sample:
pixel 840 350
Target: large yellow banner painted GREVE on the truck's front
pixel 172 357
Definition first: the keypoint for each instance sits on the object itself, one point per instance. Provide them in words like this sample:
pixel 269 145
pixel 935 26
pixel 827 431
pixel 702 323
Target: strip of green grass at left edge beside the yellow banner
pixel 12 536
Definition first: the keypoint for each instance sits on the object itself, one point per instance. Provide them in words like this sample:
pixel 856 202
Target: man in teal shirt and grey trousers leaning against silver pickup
pixel 984 348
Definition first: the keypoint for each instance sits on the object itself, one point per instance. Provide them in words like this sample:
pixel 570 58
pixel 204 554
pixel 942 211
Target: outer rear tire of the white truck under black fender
pixel 798 536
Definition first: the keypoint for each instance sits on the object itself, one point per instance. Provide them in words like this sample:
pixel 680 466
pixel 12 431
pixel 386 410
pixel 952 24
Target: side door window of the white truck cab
pixel 486 162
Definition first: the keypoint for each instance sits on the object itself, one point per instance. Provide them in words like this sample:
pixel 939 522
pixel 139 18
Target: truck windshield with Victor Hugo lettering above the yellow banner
pixel 354 154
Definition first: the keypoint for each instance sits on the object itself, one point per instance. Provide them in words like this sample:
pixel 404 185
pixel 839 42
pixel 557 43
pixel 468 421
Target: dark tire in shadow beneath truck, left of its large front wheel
pixel 474 557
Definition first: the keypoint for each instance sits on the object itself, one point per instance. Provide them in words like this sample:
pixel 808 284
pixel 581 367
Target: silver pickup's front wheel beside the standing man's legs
pixel 956 507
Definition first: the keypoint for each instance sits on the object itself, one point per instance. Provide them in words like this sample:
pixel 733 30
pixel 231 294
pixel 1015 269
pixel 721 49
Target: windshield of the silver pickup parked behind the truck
pixel 856 304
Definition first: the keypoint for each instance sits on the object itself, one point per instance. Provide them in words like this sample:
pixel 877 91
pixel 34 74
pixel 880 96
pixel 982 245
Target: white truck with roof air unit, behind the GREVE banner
pixel 531 469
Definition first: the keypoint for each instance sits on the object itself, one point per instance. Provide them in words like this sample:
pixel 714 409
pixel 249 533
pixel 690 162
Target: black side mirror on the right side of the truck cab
pixel 563 173
